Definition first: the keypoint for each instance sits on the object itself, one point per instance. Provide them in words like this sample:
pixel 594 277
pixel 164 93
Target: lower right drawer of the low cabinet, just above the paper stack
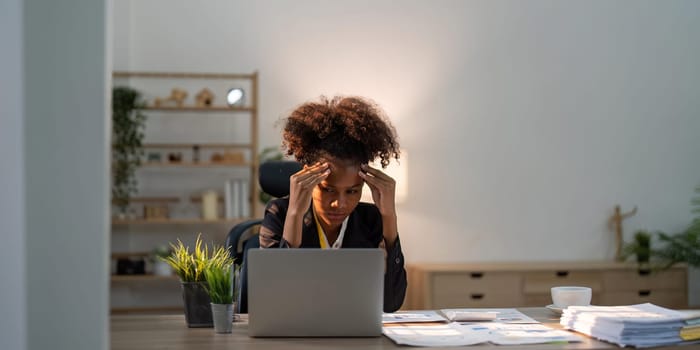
pixel 665 298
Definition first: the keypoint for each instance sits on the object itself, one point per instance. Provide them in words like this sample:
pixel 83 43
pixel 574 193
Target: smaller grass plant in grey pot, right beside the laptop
pixel 220 289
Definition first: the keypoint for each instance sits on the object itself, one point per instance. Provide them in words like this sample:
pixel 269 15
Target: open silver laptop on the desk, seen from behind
pixel 315 292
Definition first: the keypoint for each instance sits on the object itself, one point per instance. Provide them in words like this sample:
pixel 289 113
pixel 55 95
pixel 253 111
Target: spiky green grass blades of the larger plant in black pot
pixel 192 266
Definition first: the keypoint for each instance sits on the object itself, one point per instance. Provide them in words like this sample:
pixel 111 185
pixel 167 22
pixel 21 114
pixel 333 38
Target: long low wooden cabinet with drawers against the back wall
pixel 435 286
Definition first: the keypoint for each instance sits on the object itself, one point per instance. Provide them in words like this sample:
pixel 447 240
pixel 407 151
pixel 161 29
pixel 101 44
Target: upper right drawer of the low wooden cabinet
pixel 631 280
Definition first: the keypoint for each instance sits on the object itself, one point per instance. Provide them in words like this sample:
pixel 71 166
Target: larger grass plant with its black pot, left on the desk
pixel 191 267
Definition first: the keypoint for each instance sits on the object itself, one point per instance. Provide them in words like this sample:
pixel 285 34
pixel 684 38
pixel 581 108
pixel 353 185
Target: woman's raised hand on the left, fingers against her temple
pixel 301 186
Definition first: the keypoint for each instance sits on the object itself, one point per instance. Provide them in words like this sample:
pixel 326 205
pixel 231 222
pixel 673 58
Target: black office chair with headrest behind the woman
pixel 274 180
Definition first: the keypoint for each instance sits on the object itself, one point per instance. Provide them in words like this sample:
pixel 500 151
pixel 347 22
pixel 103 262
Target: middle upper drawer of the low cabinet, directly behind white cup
pixel 542 282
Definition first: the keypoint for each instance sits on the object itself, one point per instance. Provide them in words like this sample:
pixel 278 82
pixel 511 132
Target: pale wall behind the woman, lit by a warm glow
pixel 526 121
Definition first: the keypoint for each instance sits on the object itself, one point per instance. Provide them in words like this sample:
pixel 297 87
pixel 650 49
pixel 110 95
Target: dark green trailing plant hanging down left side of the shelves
pixel 128 123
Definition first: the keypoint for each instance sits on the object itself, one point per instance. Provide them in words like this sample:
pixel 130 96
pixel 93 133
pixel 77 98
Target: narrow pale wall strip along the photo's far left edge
pixel 13 325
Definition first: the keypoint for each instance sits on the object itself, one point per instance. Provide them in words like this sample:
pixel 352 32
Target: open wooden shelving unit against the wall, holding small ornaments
pixel 210 142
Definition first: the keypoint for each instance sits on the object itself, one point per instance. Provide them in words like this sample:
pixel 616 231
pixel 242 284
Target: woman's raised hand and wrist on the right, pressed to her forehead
pixel 383 189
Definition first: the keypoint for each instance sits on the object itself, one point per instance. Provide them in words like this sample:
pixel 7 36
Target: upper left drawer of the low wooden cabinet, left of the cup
pixel 476 282
